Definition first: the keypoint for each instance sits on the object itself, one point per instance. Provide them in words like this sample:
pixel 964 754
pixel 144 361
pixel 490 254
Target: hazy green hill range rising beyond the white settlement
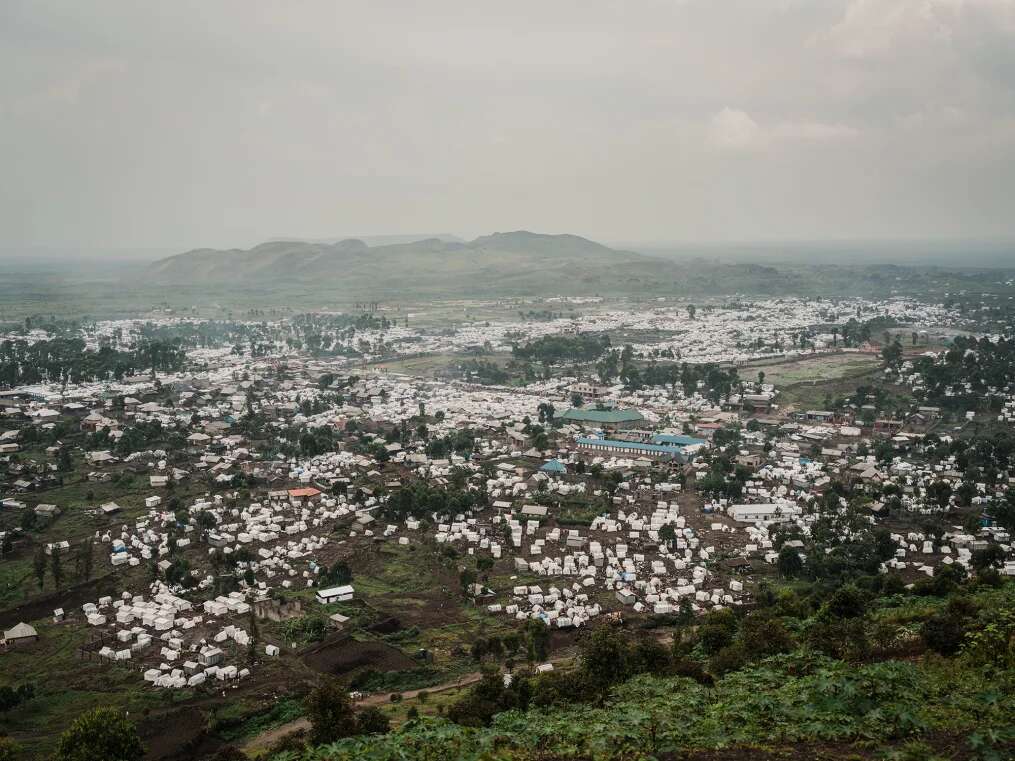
pixel 521 264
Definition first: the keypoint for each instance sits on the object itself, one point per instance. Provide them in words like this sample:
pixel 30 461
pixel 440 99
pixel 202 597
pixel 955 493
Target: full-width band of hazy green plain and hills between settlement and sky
pixel 410 274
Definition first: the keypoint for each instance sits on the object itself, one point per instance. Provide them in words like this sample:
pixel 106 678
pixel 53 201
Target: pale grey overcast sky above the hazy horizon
pixel 181 124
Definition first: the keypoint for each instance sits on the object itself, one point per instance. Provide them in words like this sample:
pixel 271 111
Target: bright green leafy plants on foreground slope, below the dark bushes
pixel 798 707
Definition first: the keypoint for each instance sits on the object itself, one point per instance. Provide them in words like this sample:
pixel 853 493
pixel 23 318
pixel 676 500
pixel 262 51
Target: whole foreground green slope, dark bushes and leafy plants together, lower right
pixel 791 682
